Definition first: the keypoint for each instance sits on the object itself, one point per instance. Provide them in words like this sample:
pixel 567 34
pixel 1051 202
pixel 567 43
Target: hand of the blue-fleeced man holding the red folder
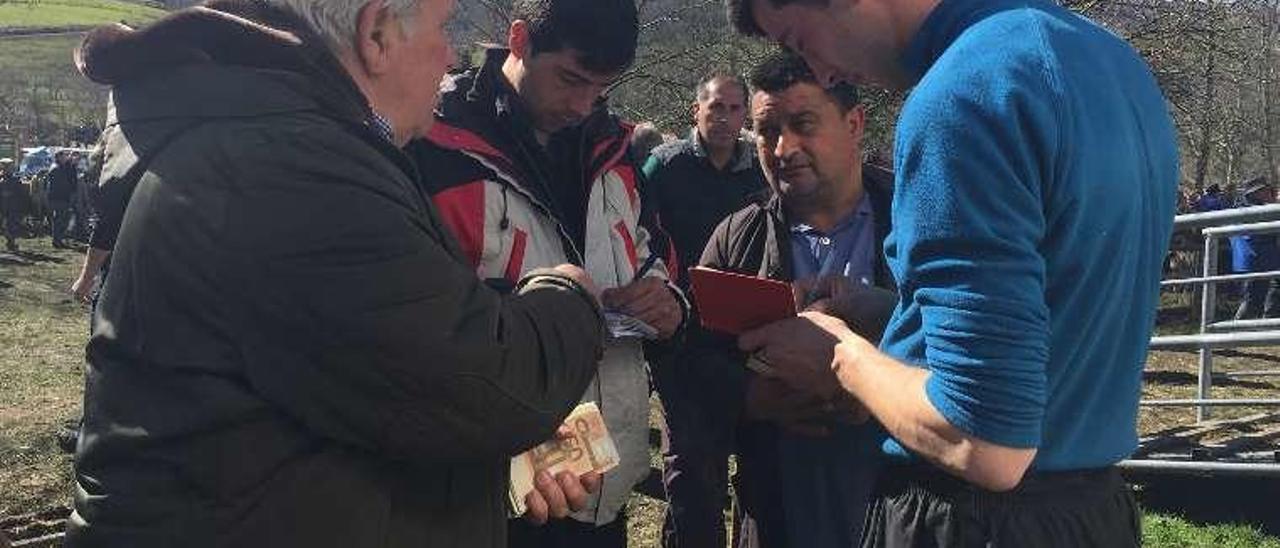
pixel 801 351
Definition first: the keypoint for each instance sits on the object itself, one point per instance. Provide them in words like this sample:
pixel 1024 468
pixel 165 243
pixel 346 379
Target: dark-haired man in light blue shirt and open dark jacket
pixel 806 465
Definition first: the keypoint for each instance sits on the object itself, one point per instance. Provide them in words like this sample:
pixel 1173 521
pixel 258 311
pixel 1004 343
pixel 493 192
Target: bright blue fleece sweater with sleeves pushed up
pixel 1037 172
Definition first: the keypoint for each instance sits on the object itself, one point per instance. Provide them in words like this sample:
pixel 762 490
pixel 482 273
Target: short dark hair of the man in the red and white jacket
pixel 604 33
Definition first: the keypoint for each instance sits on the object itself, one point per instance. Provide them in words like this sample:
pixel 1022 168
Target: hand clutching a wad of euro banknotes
pixel 556 478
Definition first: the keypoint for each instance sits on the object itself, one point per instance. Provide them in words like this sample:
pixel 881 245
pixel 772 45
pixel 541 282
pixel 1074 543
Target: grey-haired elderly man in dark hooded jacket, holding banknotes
pixel 290 349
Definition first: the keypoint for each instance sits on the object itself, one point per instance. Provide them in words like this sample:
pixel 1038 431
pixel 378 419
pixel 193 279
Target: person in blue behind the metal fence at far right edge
pixel 1258 254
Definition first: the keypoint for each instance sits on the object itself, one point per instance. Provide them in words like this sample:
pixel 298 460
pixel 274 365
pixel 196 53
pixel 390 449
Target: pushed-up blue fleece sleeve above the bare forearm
pixel 970 250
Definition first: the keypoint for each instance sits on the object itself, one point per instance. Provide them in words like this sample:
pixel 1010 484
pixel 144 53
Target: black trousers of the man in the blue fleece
pixel 921 506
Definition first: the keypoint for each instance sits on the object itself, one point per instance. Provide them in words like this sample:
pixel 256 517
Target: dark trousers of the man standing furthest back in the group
pixel 700 441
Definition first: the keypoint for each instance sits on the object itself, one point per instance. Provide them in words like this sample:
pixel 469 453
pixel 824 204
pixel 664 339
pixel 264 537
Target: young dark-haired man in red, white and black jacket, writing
pixel 531 170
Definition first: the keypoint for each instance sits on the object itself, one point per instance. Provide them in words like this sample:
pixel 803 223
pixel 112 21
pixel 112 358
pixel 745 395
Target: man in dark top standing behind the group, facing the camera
pixel 694 184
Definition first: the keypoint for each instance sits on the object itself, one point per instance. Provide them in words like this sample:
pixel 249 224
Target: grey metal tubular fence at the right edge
pixel 1215 227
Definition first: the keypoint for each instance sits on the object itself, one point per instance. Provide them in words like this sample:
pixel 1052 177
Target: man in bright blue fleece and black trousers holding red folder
pixel 1036 179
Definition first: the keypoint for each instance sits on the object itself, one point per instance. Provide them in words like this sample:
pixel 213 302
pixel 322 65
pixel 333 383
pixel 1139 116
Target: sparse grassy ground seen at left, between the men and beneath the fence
pixel 42 353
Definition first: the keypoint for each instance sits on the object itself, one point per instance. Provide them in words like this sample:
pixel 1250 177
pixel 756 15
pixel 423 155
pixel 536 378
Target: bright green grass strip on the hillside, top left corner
pixel 74 13
